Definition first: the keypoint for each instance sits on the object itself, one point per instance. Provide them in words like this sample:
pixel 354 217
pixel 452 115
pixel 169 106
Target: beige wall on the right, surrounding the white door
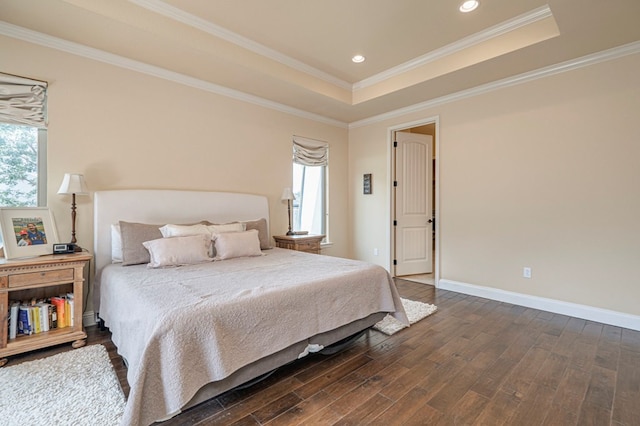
pixel 545 174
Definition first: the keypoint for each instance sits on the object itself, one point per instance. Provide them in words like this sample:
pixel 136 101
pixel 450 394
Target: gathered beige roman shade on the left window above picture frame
pixel 22 101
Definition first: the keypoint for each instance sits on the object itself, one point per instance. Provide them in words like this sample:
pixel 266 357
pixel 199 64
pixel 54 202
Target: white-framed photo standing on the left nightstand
pixel 27 231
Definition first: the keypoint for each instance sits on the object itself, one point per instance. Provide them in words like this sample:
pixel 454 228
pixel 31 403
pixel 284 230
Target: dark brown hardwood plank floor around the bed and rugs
pixel 475 361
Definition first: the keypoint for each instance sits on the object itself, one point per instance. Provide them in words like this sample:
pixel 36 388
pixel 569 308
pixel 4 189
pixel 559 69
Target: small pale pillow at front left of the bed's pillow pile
pixel 176 251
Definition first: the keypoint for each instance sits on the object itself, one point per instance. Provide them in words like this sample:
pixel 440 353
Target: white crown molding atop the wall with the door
pixel 584 61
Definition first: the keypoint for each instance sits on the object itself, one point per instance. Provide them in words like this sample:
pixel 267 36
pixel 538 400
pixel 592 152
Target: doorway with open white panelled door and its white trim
pixel 414 201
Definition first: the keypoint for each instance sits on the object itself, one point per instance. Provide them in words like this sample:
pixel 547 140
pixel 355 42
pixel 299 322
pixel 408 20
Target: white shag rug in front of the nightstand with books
pixel 78 387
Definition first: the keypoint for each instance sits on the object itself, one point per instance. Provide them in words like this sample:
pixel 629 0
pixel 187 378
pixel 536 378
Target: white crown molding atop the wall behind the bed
pixel 45 40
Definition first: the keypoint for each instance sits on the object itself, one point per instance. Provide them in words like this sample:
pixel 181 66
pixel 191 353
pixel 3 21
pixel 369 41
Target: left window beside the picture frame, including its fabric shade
pixel 22 141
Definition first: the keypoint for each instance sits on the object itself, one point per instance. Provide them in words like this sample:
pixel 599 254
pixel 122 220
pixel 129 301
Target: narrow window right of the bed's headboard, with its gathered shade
pixel 310 160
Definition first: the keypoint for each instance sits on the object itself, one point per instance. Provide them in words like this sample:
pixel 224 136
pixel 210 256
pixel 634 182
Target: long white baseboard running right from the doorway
pixel 590 313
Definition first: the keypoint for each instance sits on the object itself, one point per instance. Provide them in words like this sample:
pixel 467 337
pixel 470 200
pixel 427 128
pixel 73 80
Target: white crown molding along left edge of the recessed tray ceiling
pixel 186 18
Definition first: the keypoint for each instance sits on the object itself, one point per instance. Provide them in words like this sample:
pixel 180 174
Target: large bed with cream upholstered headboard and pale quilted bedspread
pixel 191 332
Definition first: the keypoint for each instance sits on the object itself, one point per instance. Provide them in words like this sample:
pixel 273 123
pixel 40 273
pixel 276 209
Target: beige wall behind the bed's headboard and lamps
pixel 124 129
